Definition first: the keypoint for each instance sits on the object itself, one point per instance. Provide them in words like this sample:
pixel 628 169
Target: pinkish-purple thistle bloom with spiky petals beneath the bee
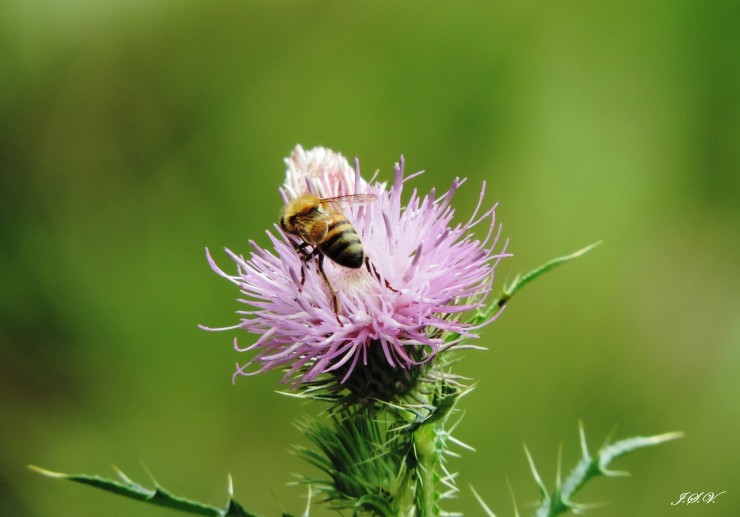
pixel 426 274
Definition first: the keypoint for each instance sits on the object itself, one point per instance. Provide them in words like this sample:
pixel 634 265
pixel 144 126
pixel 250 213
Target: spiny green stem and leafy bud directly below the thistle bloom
pixel 385 459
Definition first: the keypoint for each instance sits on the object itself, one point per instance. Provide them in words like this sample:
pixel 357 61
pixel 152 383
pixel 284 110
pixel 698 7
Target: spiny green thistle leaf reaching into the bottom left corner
pixel 157 496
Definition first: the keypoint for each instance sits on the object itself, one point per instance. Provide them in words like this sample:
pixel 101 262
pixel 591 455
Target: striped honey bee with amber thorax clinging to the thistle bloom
pixel 319 222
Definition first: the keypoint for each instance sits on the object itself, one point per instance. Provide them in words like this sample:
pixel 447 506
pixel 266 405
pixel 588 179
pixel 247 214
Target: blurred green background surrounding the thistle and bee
pixel 135 134
